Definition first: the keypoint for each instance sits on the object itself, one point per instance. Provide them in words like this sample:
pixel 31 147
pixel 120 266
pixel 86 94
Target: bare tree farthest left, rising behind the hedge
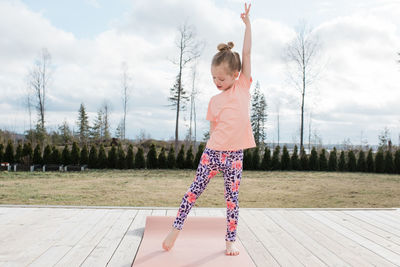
pixel 39 78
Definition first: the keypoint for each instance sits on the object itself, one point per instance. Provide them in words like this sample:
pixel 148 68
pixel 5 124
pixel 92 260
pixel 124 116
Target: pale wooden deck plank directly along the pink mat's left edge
pixel 125 254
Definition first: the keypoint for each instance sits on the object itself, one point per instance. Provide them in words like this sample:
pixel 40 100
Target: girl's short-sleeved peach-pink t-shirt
pixel 230 111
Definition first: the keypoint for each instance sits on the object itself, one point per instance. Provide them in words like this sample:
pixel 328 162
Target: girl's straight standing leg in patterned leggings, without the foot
pixel 232 177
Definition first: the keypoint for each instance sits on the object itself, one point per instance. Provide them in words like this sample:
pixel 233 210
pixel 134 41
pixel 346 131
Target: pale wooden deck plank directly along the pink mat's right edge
pixel 272 246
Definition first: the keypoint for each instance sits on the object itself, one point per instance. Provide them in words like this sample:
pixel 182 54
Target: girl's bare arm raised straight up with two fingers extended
pixel 246 52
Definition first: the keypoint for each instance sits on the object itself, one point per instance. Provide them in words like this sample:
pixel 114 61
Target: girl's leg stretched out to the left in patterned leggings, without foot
pixel 206 169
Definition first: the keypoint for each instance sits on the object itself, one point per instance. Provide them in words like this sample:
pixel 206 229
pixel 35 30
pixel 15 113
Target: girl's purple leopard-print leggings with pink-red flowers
pixel 211 162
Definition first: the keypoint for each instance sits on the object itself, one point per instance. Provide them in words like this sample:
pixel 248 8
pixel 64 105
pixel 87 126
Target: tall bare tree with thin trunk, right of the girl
pixel 301 55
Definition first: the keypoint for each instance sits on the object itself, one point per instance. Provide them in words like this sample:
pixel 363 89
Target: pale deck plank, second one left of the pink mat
pixel 103 251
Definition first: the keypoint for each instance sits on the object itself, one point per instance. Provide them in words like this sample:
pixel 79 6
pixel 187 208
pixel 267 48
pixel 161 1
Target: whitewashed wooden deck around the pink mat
pixel 110 236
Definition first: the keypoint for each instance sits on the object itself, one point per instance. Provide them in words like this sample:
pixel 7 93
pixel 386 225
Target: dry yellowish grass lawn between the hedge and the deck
pixel 165 188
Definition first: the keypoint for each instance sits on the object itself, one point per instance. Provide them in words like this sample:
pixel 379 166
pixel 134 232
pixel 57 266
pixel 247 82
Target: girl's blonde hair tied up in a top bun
pixel 225 55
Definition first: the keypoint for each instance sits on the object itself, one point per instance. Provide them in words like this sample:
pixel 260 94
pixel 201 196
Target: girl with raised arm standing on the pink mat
pixel 230 133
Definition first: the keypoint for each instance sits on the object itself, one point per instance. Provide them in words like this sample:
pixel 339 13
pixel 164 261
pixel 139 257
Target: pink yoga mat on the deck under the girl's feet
pixel 201 242
